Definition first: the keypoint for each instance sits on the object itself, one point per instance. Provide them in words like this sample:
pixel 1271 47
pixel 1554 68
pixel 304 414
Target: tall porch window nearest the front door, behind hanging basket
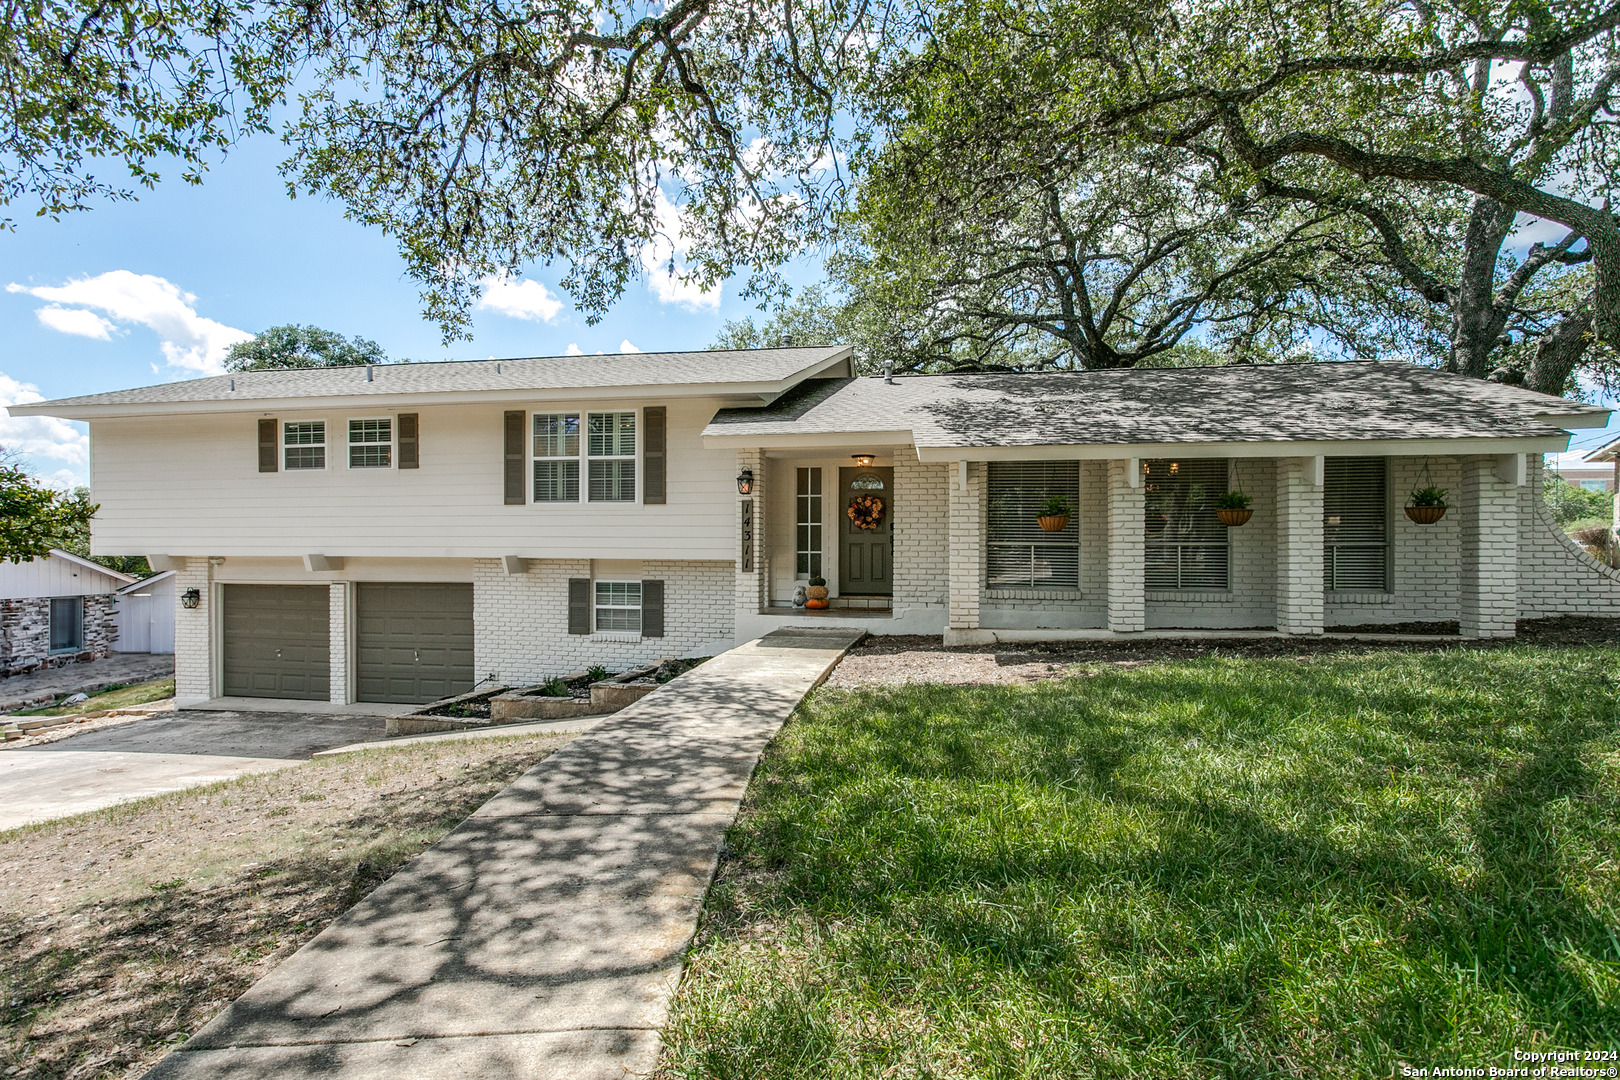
pixel 1018 551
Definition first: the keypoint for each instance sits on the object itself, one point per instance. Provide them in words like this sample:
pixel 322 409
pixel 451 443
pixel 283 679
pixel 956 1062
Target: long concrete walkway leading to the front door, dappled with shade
pixel 545 937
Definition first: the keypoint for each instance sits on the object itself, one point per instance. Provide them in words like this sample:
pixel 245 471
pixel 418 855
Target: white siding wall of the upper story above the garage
pixel 190 487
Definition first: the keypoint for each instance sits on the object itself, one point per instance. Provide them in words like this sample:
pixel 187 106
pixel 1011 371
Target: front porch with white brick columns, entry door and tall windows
pixel 1328 546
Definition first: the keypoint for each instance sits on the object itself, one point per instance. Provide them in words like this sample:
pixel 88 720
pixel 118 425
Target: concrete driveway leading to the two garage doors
pixel 164 754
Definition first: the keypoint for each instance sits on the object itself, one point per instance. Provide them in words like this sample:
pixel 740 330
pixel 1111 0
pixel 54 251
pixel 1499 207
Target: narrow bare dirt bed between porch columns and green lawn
pixel 916 658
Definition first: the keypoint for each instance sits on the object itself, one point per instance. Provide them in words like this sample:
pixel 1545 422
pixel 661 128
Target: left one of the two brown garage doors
pixel 276 642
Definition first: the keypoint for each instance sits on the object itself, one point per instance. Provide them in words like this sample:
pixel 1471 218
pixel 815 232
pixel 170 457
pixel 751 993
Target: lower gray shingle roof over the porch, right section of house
pixel 1234 404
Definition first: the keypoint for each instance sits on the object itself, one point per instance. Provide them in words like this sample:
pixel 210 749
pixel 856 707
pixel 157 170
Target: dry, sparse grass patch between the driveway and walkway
pixel 127 930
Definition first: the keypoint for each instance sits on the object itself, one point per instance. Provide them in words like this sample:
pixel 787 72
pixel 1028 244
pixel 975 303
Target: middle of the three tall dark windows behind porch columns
pixel 1185 545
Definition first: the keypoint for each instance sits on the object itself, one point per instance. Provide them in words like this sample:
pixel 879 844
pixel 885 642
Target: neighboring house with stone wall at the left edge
pixel 56 611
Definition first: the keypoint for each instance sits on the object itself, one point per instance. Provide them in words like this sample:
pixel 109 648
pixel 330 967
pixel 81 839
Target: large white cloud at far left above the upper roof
pixel 189 341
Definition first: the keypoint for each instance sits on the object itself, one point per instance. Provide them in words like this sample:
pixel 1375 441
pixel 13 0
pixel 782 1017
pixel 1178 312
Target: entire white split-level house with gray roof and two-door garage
pixel 406 532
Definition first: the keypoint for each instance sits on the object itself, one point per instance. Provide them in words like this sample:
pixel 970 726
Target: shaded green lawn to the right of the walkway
pixel 1198 869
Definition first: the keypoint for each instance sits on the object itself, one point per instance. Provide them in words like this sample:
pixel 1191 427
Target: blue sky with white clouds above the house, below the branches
pixel 155 291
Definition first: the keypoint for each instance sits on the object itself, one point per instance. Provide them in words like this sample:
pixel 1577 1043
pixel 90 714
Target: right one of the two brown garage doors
pixel 414 644
